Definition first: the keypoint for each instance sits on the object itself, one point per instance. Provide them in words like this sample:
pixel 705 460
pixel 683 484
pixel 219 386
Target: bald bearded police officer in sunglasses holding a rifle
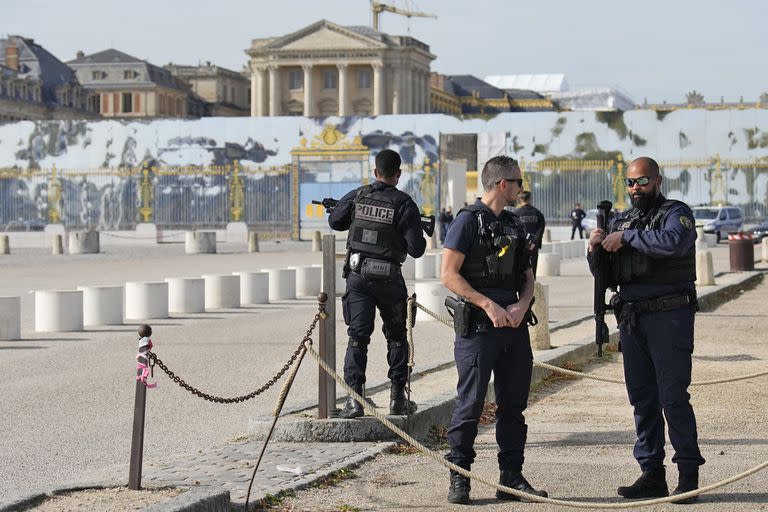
pixel 653 263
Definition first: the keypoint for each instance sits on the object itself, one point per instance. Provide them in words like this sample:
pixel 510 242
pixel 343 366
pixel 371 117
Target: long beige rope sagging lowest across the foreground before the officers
pixel 529 497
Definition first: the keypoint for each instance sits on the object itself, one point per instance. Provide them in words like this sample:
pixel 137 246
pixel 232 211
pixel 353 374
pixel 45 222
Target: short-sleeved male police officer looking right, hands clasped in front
pixel 485 261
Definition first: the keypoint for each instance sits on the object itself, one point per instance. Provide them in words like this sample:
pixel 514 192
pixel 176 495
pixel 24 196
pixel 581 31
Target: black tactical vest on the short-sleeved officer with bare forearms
pixel 498 253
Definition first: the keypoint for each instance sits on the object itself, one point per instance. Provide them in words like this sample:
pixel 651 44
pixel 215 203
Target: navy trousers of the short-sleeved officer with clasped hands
pixel 507 353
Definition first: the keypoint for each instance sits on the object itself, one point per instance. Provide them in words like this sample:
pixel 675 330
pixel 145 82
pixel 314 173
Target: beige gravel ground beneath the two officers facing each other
pixel 581 435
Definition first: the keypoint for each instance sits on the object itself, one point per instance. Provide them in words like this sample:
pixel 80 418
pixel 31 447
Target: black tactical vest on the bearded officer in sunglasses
pixel 630 266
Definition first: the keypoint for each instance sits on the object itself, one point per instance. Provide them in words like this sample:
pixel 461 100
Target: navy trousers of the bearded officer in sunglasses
pixel 657 349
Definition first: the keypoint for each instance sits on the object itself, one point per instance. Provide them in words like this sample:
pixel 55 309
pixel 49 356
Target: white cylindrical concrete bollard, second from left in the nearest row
pixel 58 310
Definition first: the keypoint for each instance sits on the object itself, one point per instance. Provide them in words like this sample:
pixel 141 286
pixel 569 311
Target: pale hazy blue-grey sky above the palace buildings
pixel 654 49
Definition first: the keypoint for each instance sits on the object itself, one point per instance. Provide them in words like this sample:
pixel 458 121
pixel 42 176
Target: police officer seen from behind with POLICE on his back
pixel 384 226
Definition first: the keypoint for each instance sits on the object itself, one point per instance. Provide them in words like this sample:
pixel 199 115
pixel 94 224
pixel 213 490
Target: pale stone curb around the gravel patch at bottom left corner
pixel 193 499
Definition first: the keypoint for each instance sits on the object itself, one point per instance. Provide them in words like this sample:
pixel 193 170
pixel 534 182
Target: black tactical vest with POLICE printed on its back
pixel 375 217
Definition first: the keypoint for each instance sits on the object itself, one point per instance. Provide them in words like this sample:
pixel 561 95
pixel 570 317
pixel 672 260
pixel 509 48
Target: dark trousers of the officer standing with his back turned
pixel 359 307
